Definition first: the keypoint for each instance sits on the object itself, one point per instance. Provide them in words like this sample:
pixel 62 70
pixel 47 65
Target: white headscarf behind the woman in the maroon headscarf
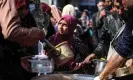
pixel 69 10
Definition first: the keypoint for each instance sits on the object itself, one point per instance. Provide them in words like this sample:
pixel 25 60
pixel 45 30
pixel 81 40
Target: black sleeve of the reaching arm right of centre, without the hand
pixel 102 47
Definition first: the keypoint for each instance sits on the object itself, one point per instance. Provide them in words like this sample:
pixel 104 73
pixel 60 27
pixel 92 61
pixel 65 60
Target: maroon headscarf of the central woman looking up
pixel 58 38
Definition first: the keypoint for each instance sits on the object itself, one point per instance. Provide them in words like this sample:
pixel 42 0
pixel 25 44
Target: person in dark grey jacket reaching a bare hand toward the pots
pixel 110 26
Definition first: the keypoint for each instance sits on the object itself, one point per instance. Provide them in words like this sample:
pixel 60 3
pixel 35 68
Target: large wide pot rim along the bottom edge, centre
pixel 64 77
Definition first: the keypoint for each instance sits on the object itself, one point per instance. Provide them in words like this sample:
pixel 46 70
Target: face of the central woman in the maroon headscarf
pixel 62 27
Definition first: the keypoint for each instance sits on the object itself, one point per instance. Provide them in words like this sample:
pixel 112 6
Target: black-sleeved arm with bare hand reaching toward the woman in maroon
pixel 102 45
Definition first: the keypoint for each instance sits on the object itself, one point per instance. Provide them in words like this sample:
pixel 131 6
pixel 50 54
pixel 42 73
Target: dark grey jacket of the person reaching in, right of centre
pixel 110 27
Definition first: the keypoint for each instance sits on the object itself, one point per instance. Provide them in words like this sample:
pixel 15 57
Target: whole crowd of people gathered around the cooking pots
pixel 26 22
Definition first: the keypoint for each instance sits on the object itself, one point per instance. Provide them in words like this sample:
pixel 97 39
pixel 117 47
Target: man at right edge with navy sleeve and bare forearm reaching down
pixel 124 47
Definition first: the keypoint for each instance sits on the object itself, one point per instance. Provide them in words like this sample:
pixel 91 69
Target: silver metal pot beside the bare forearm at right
pixel 99 66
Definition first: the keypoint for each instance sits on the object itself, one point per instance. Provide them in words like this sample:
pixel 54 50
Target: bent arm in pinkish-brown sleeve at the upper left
pixel 10 24
